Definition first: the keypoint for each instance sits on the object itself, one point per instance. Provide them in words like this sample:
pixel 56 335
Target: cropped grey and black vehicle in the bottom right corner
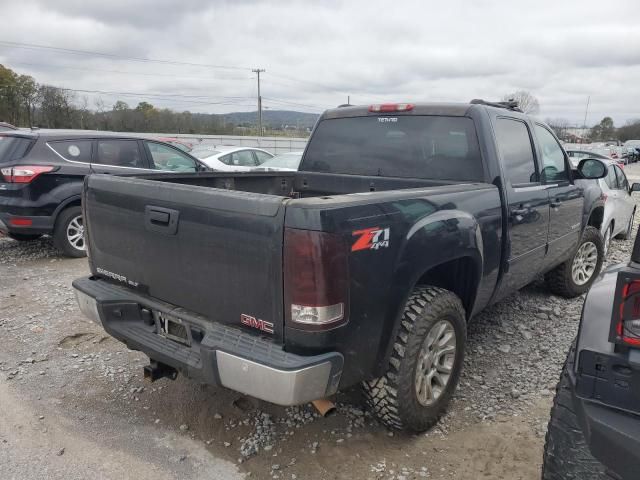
pixel 594 430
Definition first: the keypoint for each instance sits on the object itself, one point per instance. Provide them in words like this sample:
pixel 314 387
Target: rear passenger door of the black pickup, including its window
pixel 528 204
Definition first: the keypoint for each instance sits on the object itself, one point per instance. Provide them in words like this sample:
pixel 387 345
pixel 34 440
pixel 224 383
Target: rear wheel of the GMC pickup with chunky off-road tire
pixel 425 363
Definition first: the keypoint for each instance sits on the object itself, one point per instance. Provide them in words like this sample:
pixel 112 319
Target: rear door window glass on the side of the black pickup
pixel 514 143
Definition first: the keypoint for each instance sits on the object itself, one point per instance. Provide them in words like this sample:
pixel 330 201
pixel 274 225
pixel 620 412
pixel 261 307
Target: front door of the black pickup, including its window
pixel 566 199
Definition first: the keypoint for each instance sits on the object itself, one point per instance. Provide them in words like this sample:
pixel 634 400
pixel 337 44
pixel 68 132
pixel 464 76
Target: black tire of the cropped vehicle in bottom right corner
pixel 566 453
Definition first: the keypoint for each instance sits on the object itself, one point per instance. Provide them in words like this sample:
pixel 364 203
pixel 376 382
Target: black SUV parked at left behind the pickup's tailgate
pixel 41 176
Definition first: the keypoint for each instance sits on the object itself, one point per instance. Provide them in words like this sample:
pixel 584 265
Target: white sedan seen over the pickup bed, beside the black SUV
pixel 231 159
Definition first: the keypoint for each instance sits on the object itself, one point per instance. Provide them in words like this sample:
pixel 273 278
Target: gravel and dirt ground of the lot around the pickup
pixel 75 405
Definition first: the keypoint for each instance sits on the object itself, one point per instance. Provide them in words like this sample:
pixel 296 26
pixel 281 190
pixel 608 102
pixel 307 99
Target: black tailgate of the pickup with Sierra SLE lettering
pixel 214 252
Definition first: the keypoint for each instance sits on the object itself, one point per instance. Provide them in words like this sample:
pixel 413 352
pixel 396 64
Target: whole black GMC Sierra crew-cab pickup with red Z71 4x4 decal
pixel 364 266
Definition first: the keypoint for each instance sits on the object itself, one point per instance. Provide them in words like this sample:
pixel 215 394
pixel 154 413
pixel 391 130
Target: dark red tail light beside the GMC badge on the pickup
pixel 316 279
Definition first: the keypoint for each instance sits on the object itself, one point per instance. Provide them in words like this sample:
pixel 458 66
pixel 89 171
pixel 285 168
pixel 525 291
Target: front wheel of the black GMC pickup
pixel 575 276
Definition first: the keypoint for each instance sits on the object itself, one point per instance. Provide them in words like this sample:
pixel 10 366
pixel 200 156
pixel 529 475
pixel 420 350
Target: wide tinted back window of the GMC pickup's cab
pixel 409 146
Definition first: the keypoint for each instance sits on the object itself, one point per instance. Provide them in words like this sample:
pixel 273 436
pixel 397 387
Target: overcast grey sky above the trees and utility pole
pixel 314 56
